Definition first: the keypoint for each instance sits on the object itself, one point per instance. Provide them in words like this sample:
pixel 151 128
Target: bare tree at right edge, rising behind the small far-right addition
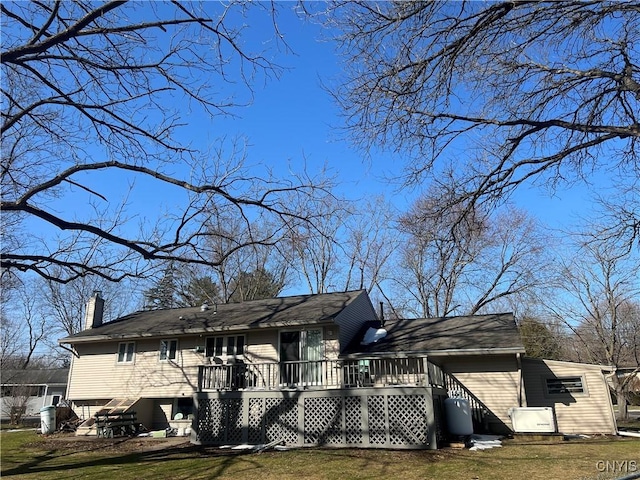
pixel 600 287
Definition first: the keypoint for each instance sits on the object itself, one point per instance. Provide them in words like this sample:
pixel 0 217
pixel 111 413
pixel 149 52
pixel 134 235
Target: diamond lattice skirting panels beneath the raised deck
pixel 401 417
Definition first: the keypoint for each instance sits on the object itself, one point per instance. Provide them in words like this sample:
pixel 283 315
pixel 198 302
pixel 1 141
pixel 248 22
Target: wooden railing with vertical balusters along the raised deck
pixel 347 373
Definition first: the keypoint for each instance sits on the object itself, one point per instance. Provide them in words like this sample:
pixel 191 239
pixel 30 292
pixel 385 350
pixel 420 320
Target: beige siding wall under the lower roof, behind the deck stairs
pixel 494 380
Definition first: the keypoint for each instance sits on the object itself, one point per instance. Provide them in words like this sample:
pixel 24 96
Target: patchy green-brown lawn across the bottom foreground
pixel 27 455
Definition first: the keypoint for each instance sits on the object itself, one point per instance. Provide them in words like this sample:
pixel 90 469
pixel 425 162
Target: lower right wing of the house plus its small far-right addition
pixel 483 360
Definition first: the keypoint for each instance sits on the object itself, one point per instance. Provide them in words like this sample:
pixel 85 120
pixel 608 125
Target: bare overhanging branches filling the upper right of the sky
pixel 530 91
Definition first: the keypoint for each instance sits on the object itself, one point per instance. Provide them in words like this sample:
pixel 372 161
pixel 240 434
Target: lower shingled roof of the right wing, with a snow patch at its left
pixel 440 336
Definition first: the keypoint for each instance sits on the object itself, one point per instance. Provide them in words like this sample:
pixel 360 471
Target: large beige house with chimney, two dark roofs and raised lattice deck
pixel 302 370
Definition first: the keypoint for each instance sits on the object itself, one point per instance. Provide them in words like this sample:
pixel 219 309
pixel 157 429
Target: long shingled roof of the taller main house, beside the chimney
pixel 267 313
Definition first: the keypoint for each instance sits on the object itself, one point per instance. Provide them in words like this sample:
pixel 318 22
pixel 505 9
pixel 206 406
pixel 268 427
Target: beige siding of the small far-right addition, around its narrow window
pixel 588 412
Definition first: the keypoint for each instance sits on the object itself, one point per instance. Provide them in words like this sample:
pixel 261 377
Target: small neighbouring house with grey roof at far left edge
pixel 26 391
